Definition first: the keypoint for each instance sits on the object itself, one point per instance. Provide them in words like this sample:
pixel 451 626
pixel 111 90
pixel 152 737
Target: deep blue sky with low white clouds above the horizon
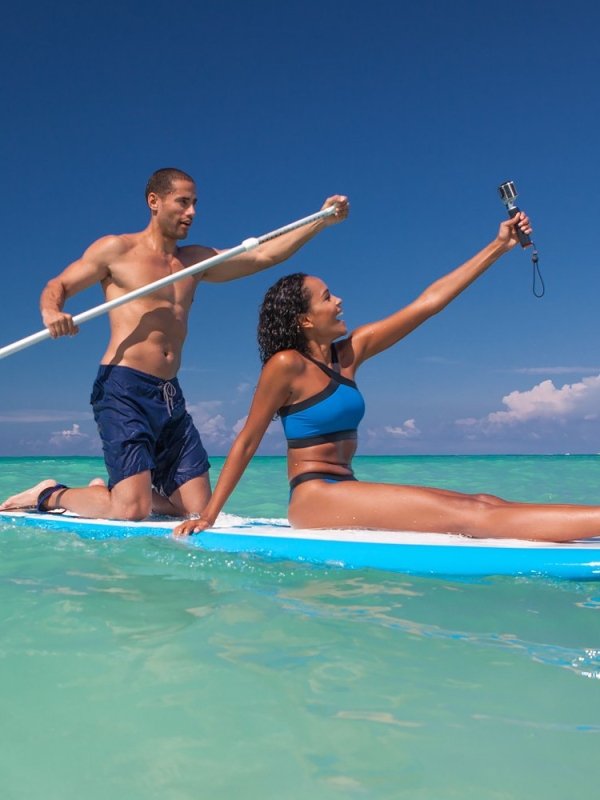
pixel 416 111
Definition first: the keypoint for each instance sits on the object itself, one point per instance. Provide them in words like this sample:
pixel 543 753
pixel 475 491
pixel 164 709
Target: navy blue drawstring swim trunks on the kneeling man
pixel 143 425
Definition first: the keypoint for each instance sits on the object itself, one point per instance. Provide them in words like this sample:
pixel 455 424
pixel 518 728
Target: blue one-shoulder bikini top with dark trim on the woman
pixel 331 415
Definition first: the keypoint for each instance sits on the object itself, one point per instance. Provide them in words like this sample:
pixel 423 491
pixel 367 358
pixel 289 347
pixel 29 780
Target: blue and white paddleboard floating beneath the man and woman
pixel 410 553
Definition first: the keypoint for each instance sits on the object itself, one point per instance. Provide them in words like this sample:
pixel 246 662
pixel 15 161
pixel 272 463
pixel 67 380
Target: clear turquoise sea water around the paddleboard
pixel 143 668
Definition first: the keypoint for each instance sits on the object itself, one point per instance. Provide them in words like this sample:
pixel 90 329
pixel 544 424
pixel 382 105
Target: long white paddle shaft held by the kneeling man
pixel 247 244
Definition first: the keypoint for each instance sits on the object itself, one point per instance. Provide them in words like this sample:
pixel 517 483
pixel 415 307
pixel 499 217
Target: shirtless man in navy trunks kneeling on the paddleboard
pixel 153 453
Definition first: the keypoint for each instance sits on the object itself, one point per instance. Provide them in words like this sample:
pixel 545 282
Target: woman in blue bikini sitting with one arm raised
pixel 308 381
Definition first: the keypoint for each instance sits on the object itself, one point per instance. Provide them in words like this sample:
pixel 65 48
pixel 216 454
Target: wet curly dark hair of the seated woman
pixel 278 317
